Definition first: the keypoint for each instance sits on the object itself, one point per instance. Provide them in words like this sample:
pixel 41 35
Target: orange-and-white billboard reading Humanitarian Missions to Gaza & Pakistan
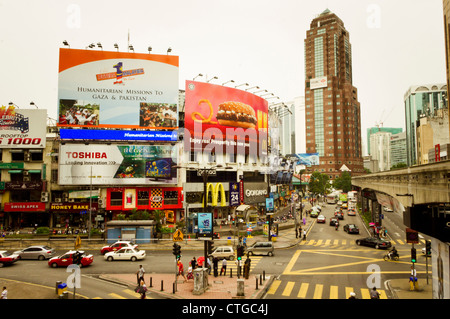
pixel 117 89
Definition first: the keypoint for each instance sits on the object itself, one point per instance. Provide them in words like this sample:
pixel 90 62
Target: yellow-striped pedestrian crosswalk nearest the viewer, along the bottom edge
pixel 305 290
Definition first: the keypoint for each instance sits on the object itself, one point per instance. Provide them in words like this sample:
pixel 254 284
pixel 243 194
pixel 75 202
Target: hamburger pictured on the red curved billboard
pixel 236 114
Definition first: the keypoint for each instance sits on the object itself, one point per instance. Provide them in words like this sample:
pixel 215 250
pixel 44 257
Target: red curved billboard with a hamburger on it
pixel 220 118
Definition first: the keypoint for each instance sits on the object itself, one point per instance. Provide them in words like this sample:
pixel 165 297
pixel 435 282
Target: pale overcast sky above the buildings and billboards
pixel 395 44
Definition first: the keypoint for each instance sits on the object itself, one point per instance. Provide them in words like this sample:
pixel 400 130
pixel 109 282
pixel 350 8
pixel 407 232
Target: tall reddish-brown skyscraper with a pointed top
pixel 333 115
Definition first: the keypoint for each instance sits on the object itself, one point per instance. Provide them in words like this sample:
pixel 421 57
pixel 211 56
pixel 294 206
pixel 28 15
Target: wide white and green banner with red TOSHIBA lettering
pixel 116 164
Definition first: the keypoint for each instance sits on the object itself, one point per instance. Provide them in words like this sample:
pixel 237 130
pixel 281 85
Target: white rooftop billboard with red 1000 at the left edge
pixel 22 128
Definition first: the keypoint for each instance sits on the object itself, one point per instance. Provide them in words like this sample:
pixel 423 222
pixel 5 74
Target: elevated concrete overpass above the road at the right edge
pixel 422 193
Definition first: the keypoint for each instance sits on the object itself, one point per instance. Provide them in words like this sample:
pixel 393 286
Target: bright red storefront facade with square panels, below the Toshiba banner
pixel 167 199
